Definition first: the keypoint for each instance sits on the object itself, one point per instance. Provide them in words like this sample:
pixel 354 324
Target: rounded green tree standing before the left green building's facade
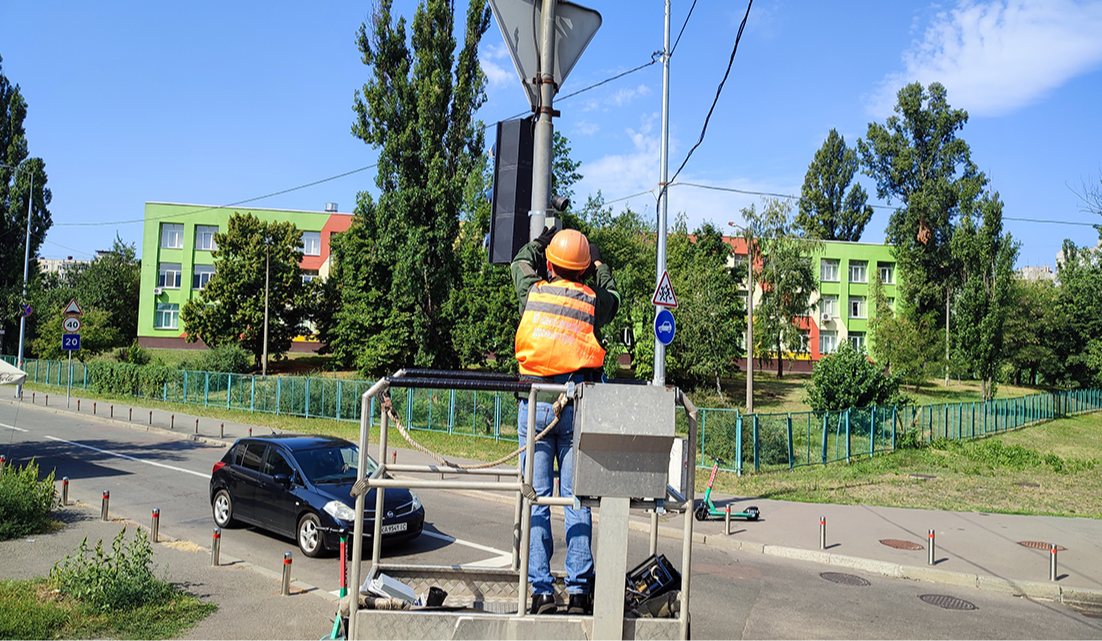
pixel 231 310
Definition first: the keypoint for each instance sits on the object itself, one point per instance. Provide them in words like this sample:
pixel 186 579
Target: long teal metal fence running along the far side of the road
pixel 746 442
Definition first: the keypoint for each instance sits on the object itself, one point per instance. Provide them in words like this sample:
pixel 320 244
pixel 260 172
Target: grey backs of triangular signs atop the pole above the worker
pixel 520 23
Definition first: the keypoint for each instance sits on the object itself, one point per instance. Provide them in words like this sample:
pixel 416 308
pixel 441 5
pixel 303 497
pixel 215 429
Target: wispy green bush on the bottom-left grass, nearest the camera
pixel 121 581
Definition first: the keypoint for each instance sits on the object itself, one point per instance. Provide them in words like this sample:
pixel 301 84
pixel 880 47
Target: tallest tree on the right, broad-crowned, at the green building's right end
pixel 917 159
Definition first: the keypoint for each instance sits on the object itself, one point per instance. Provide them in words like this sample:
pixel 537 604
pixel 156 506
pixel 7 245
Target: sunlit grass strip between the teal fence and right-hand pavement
pixel 1044 470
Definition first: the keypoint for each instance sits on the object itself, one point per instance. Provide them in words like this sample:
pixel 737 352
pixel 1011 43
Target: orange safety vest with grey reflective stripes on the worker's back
pixel 556 334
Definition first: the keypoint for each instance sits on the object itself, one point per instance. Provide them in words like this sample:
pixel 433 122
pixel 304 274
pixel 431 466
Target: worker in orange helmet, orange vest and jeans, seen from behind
pixel 559 341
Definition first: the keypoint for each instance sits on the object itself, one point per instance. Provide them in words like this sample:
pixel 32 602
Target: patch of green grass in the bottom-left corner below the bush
pixel 30 612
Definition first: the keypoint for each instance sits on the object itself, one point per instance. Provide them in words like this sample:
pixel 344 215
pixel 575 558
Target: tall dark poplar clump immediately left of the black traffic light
pixel 398 267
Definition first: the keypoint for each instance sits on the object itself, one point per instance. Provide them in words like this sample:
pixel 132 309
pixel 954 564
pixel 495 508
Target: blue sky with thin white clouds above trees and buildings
pixel 221 103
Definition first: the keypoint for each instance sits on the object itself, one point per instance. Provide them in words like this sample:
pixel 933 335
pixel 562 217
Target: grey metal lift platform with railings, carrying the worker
pixel 623 440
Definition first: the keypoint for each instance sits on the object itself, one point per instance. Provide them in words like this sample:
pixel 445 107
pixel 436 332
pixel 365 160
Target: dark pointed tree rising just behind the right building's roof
pixel 829 212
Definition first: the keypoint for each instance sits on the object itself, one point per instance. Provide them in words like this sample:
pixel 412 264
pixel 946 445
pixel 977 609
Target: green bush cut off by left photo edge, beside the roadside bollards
pixel 26 502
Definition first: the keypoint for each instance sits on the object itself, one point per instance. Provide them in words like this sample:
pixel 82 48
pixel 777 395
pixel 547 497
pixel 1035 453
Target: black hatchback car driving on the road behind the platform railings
pixel 298 486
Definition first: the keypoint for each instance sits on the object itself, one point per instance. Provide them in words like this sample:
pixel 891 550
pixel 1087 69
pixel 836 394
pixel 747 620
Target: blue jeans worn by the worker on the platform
pixel 557 446
